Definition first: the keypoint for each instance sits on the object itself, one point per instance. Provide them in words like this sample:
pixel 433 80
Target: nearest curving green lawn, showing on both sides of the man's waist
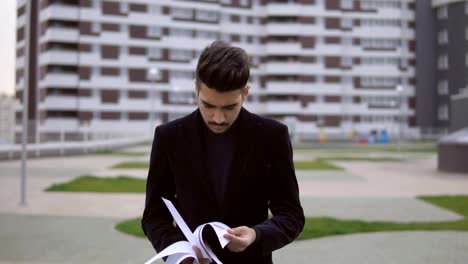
pixel 317 227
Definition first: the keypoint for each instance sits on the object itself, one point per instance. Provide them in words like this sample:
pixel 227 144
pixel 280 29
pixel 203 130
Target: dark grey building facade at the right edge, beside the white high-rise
pixel 442 69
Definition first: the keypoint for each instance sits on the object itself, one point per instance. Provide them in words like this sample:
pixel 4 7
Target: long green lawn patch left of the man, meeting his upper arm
pixel 87 183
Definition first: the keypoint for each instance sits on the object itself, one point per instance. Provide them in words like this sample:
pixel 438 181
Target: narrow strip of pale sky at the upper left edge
pixel 7 45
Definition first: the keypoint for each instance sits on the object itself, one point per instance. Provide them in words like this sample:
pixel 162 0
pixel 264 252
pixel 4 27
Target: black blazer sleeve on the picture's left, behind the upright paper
pixel 157 222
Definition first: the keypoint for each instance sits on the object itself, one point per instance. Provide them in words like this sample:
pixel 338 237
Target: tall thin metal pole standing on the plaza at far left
pixel 24 151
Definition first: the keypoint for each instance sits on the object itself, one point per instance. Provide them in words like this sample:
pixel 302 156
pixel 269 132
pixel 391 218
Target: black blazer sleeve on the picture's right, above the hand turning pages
pixel 288 216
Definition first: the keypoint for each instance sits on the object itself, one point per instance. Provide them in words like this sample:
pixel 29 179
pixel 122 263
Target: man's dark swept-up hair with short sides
pixel 223 67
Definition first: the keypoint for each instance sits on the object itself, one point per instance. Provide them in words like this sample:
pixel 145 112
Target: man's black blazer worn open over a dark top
pixel 262 177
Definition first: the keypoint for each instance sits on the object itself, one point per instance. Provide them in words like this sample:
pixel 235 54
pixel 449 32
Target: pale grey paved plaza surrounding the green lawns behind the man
pixel 79 227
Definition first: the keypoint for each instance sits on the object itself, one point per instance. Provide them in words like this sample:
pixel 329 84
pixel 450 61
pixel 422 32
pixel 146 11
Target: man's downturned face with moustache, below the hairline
pixel 220 110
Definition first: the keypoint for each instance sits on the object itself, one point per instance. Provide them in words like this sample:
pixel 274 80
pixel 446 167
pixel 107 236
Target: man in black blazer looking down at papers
pixel 222 163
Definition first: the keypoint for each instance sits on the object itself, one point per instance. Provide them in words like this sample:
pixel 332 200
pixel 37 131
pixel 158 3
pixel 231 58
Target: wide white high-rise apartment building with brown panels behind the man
pixel 123 67
